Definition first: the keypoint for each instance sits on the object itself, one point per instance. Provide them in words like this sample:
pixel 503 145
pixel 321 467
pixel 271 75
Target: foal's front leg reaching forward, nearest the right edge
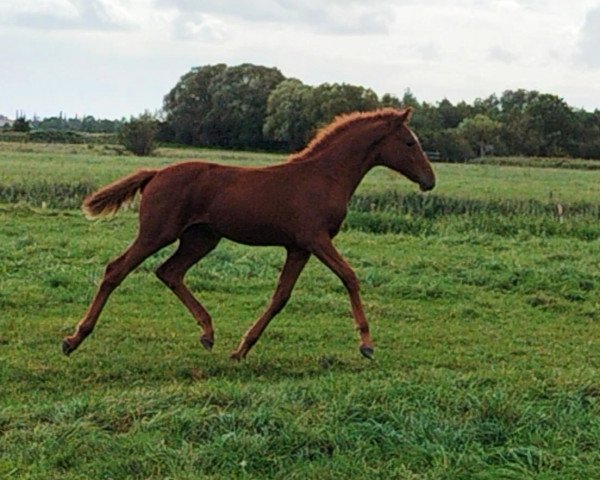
pixel 324 250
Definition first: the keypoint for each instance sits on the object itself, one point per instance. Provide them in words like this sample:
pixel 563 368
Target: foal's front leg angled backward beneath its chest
pixel 294 264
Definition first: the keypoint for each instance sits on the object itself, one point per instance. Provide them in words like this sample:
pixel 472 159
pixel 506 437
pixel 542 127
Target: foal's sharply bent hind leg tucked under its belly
pixel 194 243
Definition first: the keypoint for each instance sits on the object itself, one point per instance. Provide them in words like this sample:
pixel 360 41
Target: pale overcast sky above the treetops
pixel 115 58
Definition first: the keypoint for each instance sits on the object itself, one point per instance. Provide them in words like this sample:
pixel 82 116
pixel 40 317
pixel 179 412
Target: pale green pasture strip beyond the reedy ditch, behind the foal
pixel 97 165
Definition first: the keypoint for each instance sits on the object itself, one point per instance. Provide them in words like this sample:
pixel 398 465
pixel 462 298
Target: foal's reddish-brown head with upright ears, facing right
pixel 400 150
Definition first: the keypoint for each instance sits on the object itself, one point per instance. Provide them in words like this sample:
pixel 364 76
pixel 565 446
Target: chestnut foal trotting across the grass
pixel 299 204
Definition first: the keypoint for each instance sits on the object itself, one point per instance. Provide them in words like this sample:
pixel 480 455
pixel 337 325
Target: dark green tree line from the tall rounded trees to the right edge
pixel 256 107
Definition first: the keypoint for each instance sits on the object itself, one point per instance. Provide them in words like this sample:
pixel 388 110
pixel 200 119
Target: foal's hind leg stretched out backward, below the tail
pixel 115 272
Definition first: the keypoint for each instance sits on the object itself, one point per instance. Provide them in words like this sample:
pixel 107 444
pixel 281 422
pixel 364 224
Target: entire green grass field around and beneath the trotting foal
pixel 484 305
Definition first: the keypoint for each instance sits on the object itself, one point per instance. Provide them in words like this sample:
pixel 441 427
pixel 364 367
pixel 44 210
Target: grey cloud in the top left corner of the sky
pixel 65 15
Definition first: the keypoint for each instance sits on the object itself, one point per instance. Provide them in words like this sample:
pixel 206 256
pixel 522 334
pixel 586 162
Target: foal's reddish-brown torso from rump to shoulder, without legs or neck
pixel 258 206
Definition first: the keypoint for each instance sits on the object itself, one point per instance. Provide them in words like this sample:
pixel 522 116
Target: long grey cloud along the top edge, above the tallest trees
pixel 333 17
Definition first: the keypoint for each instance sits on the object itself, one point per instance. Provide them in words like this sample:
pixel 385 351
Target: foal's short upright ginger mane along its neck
pixel 340 124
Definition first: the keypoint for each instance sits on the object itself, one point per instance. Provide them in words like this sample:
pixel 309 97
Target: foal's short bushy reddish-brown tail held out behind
pixel 110 197
